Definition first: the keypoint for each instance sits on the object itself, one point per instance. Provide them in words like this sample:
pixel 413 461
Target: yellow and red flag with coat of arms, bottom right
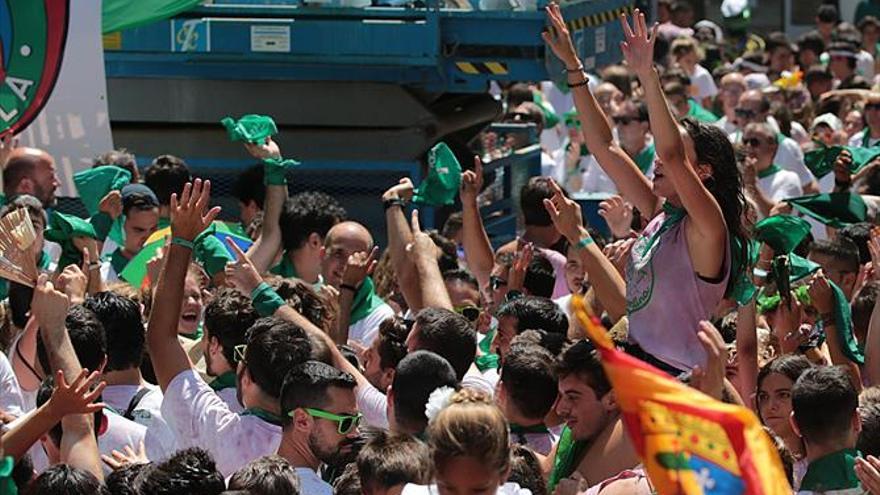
pixel 689 442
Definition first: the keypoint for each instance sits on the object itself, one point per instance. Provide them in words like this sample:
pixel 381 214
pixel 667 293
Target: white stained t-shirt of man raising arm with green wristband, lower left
pixel 200 418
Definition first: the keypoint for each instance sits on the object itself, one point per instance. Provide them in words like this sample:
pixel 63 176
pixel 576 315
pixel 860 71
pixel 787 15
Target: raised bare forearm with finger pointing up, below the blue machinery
pixel 477 248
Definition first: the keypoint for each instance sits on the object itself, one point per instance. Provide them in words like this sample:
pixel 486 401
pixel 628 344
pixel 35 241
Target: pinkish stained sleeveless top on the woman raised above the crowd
pixel 665 297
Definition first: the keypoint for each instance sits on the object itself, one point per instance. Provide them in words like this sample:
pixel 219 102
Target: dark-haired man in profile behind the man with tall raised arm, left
pixel 227 319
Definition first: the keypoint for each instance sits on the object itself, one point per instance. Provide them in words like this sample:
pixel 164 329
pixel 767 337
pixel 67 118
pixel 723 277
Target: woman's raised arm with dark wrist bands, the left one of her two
pixel 633 185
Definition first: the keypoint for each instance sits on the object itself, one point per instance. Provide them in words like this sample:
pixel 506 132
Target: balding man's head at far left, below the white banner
pixel 31 171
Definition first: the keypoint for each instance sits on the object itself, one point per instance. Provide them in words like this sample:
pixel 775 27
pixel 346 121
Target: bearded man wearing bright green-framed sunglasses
pixel 320 402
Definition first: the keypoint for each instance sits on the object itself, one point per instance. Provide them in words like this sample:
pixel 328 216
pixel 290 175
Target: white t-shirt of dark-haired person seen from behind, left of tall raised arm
pixel 159 440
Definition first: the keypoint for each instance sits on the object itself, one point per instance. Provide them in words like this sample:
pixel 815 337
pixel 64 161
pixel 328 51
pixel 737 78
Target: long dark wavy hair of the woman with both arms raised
pixel 714 148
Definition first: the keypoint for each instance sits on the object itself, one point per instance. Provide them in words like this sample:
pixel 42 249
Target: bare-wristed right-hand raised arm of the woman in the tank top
pixel 707 221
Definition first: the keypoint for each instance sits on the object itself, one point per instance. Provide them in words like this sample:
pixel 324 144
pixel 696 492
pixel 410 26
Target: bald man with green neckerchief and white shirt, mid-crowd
pixel 366 310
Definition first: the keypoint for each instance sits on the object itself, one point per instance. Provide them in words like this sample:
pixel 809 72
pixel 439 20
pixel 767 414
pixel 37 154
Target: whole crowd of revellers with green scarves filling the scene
pixel 162 351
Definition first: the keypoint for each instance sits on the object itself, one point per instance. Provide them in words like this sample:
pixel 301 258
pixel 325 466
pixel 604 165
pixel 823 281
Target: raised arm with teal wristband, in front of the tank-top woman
pixel 609 285
